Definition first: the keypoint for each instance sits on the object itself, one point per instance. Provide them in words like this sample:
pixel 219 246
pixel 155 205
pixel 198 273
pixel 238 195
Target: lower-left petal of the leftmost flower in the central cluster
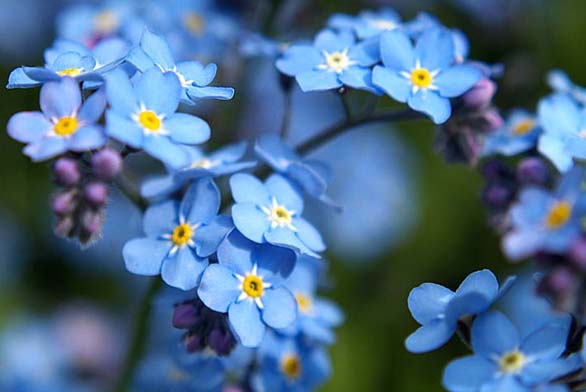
pixel 144 256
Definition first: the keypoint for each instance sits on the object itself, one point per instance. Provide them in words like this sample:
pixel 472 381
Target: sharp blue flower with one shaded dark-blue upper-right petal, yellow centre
pixel 247 283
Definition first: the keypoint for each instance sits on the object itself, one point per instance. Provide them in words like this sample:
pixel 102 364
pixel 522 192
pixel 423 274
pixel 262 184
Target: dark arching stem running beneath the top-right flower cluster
pixel 336 130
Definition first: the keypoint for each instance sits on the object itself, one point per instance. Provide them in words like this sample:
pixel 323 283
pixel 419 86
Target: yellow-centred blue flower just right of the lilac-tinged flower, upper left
pixel 142 115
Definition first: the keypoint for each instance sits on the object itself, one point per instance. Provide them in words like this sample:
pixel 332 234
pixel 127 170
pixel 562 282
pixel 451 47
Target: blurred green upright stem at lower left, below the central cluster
pixel 138 343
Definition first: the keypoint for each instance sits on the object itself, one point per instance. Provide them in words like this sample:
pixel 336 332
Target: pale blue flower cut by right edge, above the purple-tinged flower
pixel 564 130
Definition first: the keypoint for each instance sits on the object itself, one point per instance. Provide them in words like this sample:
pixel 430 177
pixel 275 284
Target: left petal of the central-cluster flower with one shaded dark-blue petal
pixel 218 288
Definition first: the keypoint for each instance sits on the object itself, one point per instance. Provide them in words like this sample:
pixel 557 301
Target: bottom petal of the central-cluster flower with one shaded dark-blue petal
pixel 246 322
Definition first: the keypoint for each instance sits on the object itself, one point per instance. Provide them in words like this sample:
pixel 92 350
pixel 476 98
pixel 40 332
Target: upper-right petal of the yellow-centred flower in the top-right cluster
pixel 435 49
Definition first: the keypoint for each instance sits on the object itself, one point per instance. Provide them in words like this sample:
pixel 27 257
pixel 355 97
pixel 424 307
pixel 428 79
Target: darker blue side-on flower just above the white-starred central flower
pixel 311 175
